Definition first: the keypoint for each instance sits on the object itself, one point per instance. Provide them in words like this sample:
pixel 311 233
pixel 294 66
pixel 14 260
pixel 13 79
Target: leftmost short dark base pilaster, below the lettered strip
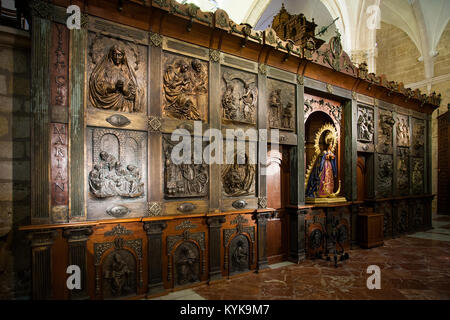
pixel 41 262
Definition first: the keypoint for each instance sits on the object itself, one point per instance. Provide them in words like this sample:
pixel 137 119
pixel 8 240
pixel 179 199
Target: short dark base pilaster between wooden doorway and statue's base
pixel 297 235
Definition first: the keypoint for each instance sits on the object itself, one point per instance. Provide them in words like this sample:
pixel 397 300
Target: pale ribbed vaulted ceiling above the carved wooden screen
pixel 422 20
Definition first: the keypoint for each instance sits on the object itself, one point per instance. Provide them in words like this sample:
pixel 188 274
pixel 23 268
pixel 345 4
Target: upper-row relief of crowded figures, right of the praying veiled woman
pixel 184 87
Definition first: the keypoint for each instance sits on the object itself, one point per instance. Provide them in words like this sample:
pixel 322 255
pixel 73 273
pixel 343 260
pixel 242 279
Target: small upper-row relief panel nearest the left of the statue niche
pixel 281 104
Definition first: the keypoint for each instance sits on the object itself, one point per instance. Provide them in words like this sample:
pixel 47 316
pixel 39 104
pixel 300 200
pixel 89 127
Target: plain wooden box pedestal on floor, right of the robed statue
pixel 370 230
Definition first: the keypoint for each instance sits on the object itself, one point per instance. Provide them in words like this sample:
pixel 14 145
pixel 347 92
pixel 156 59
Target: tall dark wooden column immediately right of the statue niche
pixel 350 133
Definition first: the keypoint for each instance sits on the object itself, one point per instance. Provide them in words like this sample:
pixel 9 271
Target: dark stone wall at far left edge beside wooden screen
pixel 15 116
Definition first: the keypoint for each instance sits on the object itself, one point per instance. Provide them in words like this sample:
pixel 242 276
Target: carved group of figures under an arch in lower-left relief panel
pixel 109 179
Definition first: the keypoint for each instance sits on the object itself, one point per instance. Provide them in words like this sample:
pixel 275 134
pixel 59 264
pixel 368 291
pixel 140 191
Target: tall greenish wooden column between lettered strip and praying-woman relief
pixel 78 45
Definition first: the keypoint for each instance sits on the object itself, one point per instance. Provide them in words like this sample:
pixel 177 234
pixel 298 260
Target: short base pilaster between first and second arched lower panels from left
pixel 154 231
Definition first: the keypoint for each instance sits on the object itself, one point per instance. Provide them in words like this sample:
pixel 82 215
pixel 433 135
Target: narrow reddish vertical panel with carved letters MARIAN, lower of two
pixel 59 178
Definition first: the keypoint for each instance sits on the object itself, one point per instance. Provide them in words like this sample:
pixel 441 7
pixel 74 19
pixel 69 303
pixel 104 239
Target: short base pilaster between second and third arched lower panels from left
pixel 215 224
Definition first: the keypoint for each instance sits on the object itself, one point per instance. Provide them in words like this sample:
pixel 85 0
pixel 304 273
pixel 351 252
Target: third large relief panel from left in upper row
pixel 239 96
